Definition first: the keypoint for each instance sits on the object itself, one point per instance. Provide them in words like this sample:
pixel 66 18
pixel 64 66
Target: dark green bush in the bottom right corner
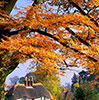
pixel 85 92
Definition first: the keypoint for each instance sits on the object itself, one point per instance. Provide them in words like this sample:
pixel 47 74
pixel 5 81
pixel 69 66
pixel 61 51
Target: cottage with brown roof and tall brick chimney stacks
pixel 28 91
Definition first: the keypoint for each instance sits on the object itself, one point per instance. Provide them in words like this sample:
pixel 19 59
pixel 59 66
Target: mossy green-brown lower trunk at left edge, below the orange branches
pixel 5 70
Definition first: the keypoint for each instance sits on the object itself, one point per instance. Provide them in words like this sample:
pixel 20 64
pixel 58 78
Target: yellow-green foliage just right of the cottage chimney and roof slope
pixel 51 83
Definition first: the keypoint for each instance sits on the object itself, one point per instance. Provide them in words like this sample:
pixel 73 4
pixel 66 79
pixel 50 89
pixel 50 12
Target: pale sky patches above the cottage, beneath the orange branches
pixel 22 69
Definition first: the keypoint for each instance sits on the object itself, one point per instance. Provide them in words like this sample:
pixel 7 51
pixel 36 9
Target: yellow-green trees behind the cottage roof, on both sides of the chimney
pixel 51 82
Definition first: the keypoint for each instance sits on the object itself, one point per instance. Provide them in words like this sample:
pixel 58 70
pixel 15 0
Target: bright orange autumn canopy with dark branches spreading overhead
pixel 70 27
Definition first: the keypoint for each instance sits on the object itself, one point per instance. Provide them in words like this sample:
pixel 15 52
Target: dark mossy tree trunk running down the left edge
pixel 5 70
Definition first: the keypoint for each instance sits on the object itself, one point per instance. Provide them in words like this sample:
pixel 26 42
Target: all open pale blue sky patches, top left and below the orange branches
pixel 22 69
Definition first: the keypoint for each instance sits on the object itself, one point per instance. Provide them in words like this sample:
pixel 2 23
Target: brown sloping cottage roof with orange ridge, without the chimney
pixel 35 91
